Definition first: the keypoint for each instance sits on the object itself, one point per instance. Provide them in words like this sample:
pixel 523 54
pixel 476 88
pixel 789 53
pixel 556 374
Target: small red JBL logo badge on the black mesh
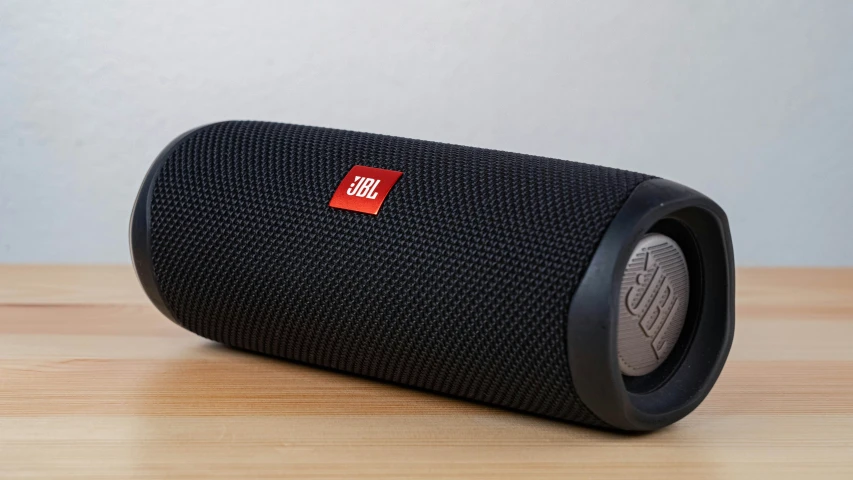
pixel 364 189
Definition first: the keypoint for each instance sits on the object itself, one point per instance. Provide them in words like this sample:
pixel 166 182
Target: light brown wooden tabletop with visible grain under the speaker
pixel 95 383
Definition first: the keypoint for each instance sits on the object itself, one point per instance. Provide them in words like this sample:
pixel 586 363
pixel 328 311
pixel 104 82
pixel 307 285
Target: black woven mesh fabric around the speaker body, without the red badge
pixel 460 285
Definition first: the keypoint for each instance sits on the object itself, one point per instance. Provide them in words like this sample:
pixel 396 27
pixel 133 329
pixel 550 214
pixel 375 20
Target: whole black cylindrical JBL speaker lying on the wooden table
pixel 571 291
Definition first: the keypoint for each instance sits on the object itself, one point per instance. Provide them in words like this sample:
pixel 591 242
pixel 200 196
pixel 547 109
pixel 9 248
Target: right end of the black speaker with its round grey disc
pixel 654 392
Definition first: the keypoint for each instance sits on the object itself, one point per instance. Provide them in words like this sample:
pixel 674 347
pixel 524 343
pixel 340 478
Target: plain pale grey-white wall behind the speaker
pixel 750 102
